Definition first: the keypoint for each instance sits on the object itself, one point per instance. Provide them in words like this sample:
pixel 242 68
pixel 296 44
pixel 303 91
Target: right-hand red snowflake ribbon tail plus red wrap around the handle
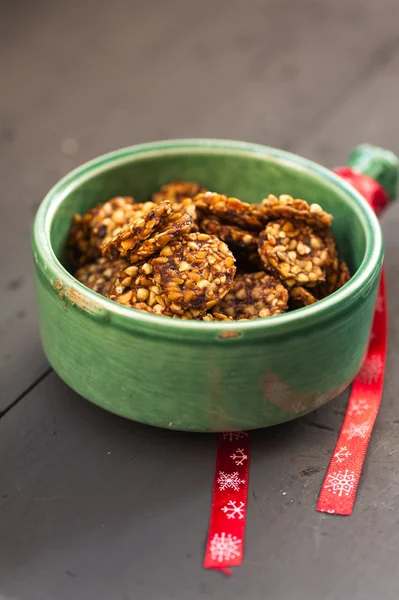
pixel 338 492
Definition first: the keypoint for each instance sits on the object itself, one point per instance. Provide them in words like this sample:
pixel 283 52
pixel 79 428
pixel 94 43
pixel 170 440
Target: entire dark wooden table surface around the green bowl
pixel 95 507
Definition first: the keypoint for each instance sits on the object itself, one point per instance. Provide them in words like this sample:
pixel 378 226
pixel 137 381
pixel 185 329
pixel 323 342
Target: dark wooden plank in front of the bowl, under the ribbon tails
pixel 95 507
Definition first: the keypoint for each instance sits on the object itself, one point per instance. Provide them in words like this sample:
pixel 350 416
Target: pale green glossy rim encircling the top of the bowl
pixel 127 317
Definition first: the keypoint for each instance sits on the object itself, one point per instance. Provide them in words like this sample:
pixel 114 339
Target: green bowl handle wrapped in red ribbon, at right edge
pixel 373 172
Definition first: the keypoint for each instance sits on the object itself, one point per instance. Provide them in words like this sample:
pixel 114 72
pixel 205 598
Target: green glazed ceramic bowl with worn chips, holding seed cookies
pixel 201 376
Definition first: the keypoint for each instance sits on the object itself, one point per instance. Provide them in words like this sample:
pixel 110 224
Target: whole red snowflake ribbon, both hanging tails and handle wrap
pixel 225 545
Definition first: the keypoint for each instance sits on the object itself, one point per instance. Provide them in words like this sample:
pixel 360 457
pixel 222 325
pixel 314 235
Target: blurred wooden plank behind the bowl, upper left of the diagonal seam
pixel 78 81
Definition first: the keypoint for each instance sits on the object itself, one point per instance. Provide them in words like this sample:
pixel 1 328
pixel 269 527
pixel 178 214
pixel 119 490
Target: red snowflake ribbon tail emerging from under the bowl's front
pixel 225 546
